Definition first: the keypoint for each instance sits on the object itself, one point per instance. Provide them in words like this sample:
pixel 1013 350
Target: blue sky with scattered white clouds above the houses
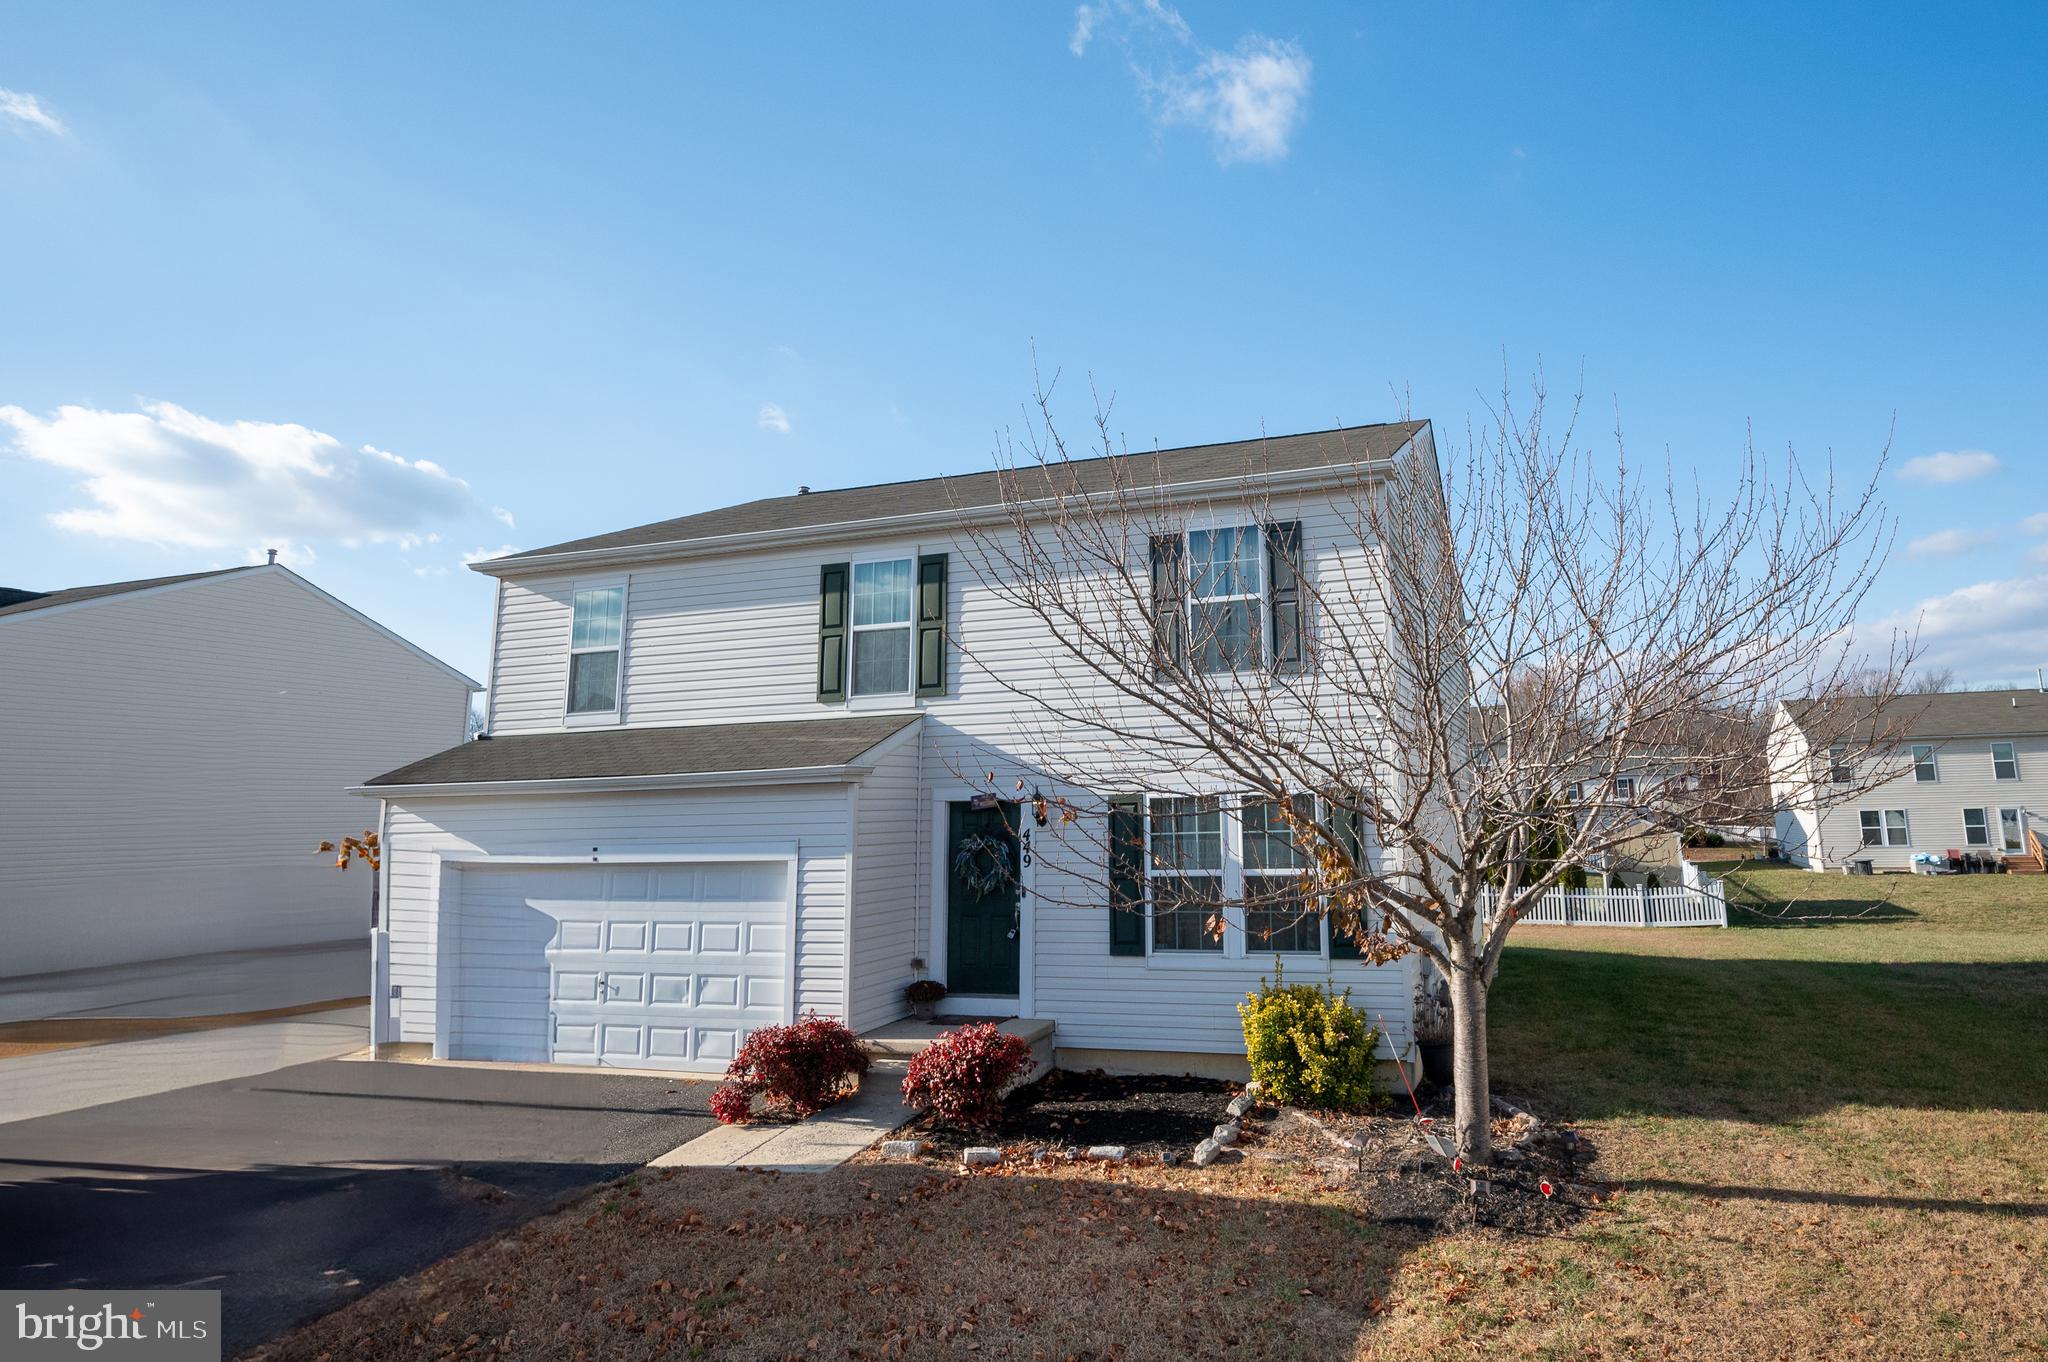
pixel 398 286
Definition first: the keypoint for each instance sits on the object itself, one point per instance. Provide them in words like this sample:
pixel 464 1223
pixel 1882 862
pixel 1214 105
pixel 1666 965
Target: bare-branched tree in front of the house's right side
pixel 1437 710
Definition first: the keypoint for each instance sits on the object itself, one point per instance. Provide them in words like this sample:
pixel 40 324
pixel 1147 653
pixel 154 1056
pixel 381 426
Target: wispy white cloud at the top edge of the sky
pixel 1250 99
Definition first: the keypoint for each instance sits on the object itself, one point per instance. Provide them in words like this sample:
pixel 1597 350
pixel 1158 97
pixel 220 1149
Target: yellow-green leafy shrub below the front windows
pixel 1310 1048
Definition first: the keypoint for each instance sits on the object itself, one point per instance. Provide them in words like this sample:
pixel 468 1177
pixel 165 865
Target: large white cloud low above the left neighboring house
pixel 169 476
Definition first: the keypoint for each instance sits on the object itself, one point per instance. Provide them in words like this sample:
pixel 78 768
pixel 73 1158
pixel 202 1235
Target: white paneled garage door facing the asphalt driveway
pixel 652 968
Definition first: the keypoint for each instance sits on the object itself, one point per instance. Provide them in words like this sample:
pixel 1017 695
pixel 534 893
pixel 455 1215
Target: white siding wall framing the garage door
pixel 427 831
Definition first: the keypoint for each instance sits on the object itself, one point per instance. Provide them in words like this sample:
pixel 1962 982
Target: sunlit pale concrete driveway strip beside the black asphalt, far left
pixel 97 1074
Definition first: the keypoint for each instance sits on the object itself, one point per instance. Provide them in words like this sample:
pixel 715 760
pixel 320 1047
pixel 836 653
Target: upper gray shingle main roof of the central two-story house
pixel 970 491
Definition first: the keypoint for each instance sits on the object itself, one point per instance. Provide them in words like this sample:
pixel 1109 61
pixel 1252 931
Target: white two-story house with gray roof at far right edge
pixel 1926 773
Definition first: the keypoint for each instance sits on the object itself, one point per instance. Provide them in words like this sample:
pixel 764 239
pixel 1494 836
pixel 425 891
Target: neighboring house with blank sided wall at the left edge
pixel 171 755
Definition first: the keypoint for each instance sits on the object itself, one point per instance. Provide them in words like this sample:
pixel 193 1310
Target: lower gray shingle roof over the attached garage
pixel 691 751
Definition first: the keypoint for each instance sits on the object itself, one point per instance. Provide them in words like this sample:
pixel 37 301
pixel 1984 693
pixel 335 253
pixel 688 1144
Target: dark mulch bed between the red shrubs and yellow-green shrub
pixel 1148 1115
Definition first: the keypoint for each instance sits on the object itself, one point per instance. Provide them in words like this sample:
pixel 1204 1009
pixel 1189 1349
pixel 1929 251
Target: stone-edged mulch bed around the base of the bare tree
pixel 1402 1181
